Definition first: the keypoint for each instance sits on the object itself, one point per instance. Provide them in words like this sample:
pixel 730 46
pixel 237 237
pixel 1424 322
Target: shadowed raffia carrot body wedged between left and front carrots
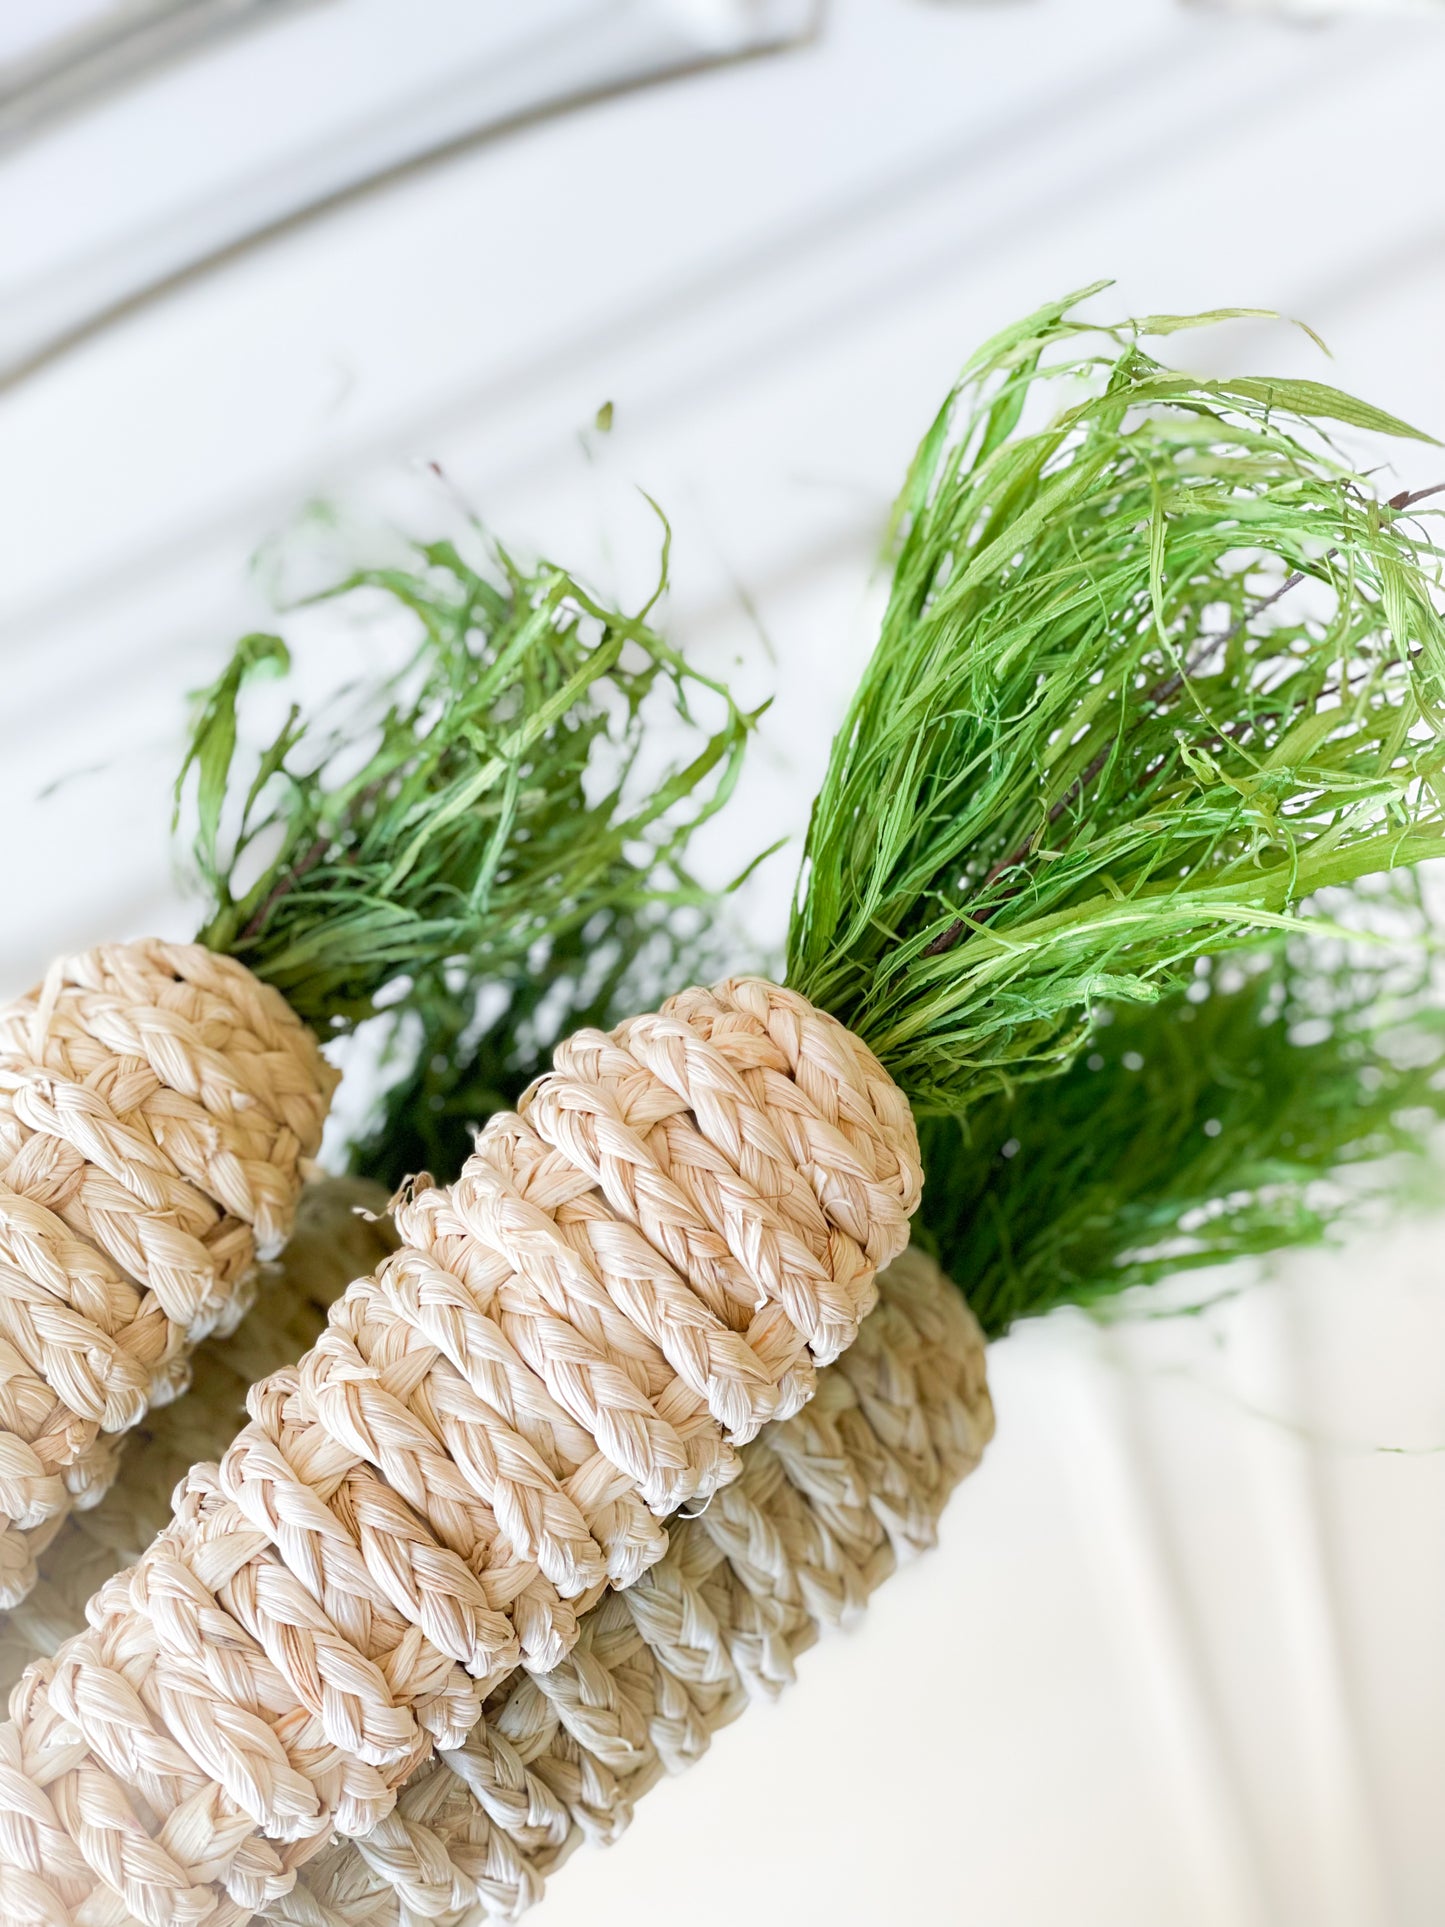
pixel 340 1234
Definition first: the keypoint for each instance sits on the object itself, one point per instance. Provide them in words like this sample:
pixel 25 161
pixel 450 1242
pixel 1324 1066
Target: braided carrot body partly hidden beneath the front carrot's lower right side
pixel 822 1512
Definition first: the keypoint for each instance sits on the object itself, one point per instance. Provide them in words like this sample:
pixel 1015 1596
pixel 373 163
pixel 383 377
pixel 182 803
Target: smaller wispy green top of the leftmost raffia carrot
pixel 488 833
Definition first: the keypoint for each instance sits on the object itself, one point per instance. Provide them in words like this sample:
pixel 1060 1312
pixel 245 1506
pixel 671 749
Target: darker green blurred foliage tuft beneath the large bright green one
pixel 1192 1134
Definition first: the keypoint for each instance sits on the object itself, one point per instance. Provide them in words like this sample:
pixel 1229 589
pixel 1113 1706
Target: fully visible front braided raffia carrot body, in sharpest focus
pixel 627 1282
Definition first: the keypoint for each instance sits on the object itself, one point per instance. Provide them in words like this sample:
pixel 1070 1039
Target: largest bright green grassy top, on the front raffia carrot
pixel 1103 729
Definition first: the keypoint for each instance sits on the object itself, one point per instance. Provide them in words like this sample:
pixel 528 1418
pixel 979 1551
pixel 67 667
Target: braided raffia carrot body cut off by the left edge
pixel 157 1105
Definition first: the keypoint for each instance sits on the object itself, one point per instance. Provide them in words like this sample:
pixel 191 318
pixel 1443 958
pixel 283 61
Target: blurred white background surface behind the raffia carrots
pixel 1180 1656
